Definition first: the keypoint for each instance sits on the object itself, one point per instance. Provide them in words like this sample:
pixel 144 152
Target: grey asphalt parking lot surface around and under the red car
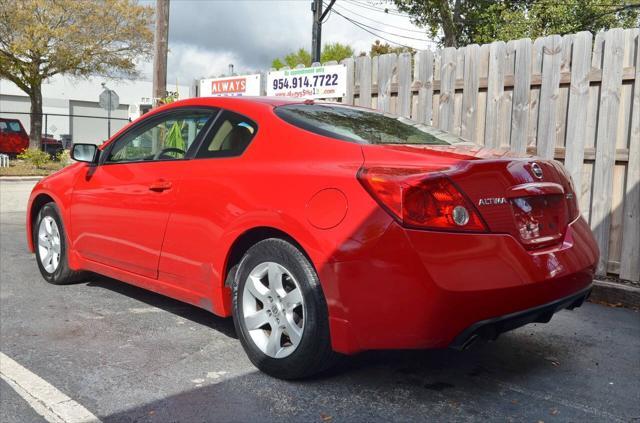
pixel 128 355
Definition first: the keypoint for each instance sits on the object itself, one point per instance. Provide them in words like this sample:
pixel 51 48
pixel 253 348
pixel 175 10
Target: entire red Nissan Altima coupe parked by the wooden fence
pixel 321 228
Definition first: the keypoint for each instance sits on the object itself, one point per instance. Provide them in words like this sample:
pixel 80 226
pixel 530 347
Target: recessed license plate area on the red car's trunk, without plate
pixel 540 220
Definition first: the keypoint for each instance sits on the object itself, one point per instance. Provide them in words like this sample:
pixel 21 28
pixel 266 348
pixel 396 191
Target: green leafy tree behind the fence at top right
pixel 462 22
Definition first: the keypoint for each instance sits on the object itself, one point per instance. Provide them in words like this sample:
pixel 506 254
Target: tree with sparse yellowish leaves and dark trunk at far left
pixel 43 38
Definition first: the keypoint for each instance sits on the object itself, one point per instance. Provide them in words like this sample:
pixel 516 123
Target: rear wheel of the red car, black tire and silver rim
pixel 309 351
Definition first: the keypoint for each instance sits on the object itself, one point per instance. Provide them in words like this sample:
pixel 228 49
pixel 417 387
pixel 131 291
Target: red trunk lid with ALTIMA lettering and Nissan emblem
pixel 529 198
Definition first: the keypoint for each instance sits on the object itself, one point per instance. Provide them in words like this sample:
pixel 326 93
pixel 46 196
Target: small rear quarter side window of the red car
pixel 232 134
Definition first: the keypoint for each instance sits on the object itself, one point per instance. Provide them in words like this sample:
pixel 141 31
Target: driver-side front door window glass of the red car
pixel 166 138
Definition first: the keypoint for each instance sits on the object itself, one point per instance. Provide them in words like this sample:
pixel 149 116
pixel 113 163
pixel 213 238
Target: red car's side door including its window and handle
pixel 120 207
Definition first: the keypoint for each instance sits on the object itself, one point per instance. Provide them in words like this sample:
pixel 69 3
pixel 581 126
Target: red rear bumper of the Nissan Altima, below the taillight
pixel 422 289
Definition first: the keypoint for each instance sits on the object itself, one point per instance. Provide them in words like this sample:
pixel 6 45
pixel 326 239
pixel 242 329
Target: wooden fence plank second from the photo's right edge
pixel 606 137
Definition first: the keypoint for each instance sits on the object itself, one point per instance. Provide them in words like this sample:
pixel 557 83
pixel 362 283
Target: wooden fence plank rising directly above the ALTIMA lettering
pixel 495 91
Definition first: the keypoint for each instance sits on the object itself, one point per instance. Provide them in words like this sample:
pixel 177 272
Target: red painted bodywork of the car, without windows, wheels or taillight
pixel 386 286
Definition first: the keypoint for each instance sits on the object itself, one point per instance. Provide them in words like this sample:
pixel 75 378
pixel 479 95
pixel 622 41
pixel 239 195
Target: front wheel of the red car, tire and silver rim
pixel 58 273
